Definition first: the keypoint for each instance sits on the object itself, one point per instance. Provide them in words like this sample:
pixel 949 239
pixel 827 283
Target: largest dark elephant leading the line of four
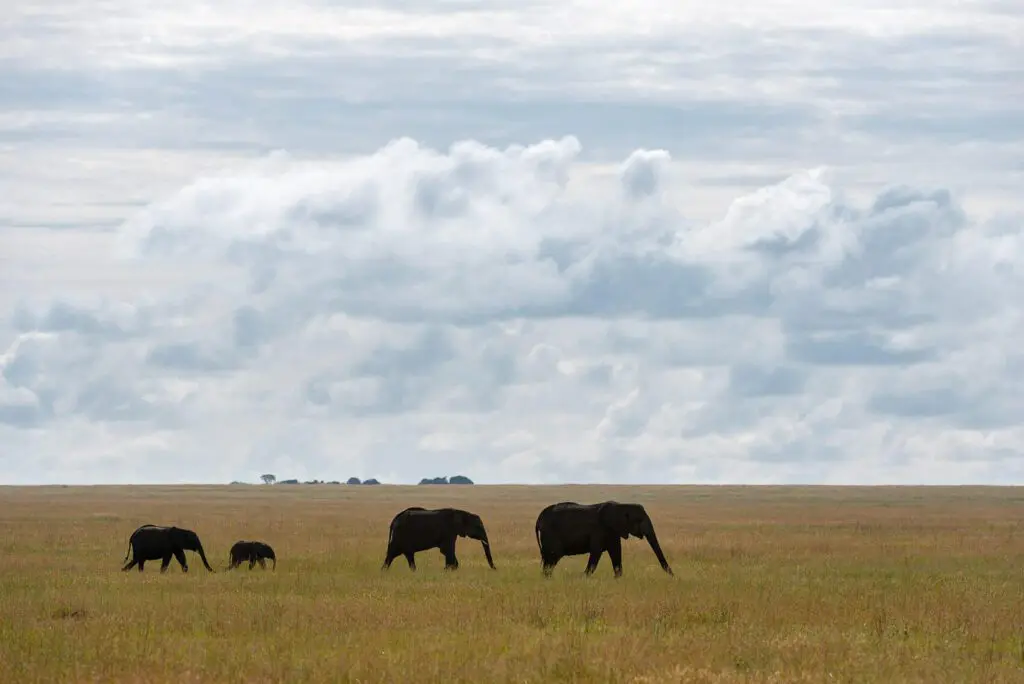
pixel 569 529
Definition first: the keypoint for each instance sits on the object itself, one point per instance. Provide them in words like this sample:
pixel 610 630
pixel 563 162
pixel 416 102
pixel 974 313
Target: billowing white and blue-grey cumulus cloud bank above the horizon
pixel 509 315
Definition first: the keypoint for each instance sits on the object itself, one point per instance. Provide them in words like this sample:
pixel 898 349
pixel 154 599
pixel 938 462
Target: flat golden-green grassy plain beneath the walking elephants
pixel 773 585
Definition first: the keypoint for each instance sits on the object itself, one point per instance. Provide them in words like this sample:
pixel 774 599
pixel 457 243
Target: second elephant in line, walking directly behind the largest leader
pixel 417 529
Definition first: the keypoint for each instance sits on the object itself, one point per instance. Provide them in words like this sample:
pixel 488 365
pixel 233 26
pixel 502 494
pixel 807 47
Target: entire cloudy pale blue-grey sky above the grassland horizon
pixel 752 241
